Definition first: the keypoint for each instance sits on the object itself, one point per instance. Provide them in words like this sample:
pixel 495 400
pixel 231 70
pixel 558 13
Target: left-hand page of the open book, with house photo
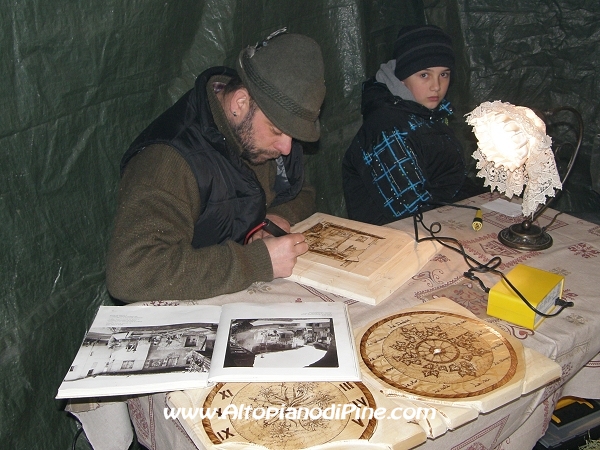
pixel 142 349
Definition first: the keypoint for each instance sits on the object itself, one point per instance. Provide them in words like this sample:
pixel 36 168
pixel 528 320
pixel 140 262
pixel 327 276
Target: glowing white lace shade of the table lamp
pixel 514 154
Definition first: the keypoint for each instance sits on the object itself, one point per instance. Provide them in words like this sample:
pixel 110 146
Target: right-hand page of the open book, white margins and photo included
pixel 285 342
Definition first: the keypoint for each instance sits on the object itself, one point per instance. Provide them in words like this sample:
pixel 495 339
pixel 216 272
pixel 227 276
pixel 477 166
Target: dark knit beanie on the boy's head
pixel 419 47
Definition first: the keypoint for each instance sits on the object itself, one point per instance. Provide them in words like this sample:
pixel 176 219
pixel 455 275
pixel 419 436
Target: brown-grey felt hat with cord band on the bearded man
pixel 284 74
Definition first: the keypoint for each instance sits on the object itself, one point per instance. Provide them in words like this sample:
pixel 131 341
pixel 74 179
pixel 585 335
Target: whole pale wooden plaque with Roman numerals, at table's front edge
pixel 284 432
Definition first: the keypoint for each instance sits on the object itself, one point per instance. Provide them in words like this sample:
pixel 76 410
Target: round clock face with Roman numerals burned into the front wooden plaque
pixel 300 414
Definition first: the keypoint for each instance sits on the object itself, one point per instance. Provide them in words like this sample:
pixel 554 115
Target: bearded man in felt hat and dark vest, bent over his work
pixel 210 169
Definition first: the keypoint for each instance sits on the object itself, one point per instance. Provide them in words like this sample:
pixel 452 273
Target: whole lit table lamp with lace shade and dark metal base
pixel 514 156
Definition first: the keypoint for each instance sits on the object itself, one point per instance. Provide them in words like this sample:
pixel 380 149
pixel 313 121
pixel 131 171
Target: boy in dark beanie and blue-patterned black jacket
pixel 405 155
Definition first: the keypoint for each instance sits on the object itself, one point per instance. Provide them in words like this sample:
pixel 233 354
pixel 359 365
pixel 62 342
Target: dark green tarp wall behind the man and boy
pixel 79 80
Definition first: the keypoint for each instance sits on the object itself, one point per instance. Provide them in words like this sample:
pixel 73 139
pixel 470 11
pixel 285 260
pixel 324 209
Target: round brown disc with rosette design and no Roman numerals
pixel 436 354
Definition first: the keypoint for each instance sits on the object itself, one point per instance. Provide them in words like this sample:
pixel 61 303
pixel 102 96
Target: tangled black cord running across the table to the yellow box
pixel 488 267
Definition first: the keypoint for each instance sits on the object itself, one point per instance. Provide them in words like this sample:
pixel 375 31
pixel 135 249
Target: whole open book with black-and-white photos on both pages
pixel 144 349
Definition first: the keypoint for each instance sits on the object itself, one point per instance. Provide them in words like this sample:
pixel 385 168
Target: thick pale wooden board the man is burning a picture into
pixel 360 261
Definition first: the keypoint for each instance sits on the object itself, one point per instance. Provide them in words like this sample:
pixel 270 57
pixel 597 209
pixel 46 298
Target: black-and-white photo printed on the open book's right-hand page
pixel 283 343
